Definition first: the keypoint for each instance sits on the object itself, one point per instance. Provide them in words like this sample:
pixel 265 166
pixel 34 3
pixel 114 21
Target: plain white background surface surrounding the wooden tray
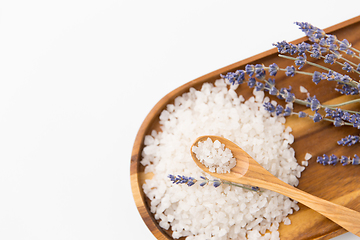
pixel 78 77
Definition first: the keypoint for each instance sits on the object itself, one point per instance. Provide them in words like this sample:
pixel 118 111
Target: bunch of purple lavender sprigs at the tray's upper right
pixel 332 51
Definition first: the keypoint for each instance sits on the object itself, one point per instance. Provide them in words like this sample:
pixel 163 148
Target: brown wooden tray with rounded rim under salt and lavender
pixel 338 183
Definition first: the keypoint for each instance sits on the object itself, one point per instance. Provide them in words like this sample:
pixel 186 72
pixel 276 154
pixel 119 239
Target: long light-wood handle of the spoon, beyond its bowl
pixel 343 216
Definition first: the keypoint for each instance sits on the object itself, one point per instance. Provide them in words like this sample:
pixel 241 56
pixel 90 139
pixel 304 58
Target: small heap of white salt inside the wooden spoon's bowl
pixel 215 156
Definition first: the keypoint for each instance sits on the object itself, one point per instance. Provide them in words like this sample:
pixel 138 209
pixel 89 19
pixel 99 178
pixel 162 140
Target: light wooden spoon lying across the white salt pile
pixel 248 171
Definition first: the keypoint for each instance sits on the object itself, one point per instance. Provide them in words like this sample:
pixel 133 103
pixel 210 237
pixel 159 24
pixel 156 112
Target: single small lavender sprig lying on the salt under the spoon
pixel 190 181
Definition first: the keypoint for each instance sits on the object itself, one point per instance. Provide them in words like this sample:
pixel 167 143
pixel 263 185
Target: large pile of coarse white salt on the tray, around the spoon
pixel 225 212
